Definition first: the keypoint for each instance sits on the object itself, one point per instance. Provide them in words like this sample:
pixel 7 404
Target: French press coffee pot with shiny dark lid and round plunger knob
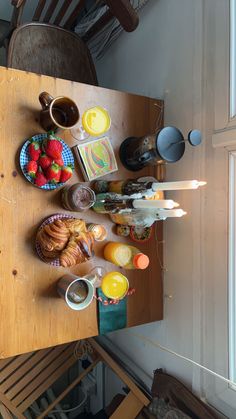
pixel 167 145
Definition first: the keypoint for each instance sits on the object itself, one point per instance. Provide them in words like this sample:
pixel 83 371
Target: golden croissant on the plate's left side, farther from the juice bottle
pixel 53 236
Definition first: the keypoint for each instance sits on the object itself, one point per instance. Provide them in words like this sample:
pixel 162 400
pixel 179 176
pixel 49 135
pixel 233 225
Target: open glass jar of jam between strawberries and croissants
pixel 78 197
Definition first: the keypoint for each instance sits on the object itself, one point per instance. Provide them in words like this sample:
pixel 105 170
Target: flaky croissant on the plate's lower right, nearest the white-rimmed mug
pixel 78 250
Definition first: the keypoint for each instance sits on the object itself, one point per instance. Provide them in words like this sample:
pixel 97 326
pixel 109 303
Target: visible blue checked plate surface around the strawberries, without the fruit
pixel 25 158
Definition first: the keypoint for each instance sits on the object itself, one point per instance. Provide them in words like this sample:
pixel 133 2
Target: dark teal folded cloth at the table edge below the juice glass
pixel 112 316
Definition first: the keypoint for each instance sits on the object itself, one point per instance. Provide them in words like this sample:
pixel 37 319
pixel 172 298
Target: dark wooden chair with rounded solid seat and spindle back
pixel 47 45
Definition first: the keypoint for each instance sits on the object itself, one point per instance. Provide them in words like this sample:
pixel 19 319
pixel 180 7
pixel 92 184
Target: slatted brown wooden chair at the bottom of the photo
pixel 25 377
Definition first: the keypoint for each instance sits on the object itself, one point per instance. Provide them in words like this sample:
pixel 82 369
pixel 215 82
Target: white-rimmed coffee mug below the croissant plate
pixel 77 292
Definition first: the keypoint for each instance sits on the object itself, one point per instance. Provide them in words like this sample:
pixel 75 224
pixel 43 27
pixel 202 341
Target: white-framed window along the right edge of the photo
pixel 223 315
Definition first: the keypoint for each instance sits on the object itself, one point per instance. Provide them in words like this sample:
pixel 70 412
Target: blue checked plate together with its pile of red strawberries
pixel 46 161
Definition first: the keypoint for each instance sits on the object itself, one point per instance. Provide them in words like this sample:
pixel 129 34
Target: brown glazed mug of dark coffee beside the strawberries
pixel 57 113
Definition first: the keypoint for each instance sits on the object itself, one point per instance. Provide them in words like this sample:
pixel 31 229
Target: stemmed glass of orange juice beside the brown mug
pixel 95 122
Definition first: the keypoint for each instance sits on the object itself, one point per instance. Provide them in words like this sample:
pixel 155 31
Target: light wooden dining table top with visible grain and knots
pixel 32 314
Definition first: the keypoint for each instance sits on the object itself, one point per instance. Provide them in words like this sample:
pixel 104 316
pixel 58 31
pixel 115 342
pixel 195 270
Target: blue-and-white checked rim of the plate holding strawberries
pixel 48 187
